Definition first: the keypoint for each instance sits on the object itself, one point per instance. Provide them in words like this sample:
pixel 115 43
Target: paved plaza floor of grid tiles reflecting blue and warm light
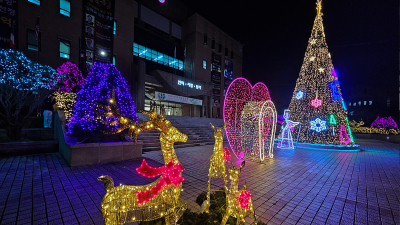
pixel 296 187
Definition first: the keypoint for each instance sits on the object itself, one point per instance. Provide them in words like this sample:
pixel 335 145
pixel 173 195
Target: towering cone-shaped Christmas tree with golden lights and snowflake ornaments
pixel 317 100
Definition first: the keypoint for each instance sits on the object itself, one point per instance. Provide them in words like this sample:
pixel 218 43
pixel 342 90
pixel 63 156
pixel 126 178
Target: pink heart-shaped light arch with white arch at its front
pixel 251 119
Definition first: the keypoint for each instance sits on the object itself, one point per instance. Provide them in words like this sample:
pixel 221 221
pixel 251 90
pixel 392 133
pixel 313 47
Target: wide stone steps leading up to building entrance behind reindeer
pixel 196 136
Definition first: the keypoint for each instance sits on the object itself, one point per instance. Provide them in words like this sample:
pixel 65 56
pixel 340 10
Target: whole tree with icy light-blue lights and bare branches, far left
pixel 23 87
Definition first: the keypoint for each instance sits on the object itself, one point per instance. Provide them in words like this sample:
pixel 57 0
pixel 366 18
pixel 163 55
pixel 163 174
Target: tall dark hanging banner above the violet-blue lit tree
pixel 98 28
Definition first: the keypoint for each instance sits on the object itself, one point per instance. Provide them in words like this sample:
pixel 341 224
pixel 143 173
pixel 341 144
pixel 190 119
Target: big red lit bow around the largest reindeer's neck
pixel 172 175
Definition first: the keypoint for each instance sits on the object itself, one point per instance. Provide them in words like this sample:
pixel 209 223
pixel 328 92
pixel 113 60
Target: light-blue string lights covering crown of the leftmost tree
pixel 21 73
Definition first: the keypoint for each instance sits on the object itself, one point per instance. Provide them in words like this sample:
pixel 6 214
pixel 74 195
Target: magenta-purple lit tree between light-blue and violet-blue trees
pixel 73 78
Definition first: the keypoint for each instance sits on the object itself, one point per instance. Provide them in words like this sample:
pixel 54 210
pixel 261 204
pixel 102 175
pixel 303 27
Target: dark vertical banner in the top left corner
pixel 8 23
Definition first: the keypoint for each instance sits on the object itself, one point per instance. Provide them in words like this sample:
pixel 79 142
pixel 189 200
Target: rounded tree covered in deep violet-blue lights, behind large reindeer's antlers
pixel 98 86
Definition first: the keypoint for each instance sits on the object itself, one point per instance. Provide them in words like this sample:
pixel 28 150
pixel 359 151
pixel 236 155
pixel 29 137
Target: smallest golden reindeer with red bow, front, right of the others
pixel 238 202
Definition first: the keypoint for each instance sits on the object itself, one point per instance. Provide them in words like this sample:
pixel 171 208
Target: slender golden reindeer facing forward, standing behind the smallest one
pixel 217 165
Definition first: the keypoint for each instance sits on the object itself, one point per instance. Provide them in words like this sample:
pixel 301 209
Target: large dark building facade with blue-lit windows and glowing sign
pixel 167 52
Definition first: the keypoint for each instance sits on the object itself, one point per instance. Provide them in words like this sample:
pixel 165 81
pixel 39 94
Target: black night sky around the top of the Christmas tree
pixel 362 36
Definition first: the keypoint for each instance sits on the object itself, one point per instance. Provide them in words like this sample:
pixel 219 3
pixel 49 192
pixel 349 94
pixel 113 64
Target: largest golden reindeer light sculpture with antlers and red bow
pixel 126 204
